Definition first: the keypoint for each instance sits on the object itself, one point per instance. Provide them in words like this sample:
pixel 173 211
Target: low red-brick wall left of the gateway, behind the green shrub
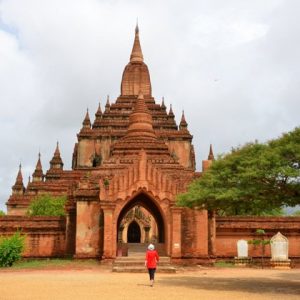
pixel 45 236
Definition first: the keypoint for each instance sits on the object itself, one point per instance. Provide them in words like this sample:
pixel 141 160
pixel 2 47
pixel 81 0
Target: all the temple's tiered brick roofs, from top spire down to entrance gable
pixel 139 129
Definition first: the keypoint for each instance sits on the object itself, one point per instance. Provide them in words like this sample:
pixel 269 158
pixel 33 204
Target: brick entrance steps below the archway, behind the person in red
pixel 135 261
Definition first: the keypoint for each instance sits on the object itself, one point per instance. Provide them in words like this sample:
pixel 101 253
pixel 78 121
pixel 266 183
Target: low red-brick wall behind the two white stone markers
pixel 231 229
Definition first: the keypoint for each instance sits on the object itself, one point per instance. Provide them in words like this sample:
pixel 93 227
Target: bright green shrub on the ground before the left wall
pixel 11 249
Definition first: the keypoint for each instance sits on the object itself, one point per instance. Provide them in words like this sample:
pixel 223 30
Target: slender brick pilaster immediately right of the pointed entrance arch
pixel 176 232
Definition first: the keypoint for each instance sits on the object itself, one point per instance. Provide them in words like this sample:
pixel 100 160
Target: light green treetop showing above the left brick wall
pixel 47 205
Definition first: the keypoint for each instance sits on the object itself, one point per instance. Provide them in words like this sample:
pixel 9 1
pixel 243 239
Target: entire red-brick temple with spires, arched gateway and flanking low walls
pixel 128 166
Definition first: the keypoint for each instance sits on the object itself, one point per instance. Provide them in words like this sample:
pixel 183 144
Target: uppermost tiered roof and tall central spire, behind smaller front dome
pixel 114 121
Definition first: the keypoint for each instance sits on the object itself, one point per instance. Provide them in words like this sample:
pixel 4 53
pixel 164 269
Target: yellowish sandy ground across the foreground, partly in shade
pixel 210 283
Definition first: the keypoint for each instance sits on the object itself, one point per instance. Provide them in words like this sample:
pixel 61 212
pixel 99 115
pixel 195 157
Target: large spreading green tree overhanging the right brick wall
pixel 254 179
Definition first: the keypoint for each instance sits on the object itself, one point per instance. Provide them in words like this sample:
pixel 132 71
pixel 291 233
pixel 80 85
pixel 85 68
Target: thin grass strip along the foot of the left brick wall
pixel 53 263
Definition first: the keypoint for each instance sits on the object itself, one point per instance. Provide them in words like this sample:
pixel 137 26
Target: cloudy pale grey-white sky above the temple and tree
pixel 233 67
